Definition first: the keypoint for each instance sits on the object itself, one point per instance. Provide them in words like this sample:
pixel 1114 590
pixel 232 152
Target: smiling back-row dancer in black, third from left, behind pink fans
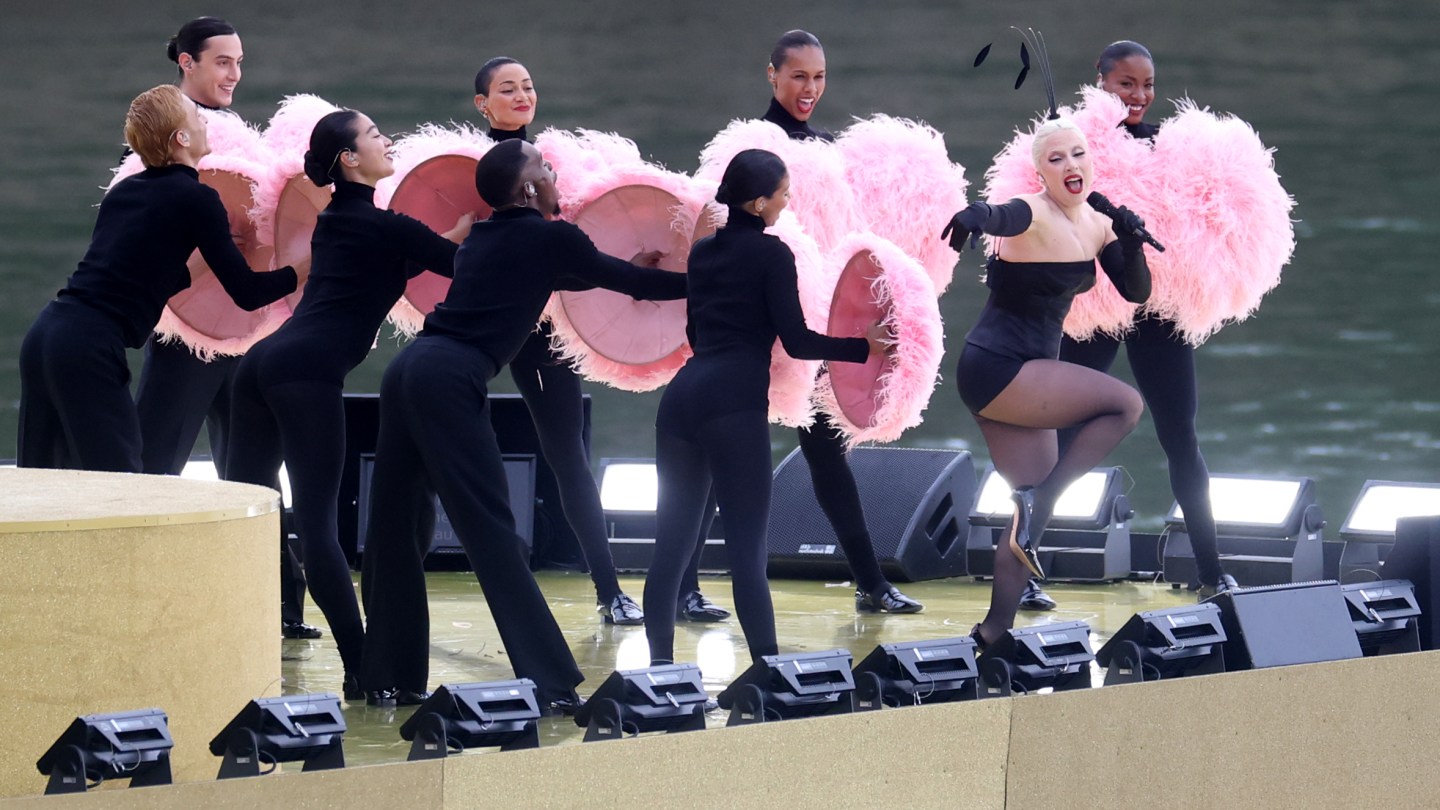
pixel 798 76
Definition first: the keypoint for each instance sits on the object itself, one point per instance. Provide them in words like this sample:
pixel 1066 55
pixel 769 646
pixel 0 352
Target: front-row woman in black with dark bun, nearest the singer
pixel 712 426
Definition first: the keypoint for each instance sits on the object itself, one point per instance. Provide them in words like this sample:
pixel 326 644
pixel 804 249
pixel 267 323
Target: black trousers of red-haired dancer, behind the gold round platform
pixel 76 406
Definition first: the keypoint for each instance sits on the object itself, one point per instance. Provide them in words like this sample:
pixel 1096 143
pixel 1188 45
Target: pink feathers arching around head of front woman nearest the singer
pixel 822 197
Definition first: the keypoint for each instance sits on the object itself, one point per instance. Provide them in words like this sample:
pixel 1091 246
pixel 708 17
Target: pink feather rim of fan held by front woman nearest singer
pixel 914 318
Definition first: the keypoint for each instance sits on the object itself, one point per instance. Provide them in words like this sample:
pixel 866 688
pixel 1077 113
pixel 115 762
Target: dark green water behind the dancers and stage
pixel 1334 378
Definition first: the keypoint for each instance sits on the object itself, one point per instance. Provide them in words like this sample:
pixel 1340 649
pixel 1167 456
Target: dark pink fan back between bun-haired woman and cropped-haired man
pixel 437 192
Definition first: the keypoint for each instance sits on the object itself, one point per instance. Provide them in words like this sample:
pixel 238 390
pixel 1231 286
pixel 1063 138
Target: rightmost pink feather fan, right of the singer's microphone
pixel 1226 223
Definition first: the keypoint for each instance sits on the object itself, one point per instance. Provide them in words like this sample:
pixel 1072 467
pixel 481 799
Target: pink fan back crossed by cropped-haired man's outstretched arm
pixel 624 223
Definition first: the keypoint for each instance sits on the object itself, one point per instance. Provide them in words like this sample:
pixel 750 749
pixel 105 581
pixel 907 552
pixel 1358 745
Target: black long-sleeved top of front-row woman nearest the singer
pixel 744 295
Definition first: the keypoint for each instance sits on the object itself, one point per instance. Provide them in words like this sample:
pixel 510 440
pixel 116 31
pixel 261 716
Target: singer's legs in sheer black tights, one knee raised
pixel 1020 430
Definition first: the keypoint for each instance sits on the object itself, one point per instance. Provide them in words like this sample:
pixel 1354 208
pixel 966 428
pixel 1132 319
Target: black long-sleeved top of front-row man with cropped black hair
pixel 512 263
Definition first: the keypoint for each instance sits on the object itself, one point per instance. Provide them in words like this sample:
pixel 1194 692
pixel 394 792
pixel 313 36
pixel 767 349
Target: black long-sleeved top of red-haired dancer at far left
pixel 145 234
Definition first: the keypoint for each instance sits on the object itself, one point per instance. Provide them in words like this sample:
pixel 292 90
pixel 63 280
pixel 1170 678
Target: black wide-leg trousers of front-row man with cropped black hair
pixel 437 437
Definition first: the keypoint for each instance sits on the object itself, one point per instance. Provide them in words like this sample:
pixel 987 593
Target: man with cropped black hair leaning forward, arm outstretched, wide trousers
pixel 436 433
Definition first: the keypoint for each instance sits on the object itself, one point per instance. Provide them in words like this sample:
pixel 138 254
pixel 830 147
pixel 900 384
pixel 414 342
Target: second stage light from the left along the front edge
pixel 294 729
